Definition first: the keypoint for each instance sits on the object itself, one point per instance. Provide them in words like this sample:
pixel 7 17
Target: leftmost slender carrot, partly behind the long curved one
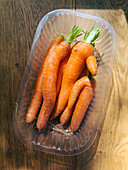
pixel 37 95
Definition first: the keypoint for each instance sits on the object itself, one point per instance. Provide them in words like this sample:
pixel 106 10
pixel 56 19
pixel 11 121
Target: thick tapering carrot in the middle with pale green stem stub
pixel 76 62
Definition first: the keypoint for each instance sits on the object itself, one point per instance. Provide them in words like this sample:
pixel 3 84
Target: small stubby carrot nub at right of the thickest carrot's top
pixel 92 65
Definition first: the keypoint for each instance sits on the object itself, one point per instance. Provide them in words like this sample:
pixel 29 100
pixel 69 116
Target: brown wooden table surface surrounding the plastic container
pixel 18 22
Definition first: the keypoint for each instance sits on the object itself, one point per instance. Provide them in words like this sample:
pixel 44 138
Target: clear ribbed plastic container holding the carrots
pixel 56 22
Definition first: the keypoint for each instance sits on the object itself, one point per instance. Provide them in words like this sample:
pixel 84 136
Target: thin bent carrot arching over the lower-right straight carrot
pixel 78 86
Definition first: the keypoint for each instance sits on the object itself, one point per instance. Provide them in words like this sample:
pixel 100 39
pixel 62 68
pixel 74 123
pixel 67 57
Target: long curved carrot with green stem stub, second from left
pixel 50 76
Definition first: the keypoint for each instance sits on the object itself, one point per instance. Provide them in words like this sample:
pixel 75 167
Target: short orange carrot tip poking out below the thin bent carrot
pixel 65 116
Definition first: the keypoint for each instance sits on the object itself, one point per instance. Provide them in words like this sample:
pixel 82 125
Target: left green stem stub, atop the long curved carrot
pixel 73 34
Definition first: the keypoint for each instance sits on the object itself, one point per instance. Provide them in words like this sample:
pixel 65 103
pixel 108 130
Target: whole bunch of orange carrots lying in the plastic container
pixel 65 81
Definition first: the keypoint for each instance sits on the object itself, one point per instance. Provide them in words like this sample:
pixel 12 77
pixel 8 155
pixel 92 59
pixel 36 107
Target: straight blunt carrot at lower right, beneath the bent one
pixel 82 104
